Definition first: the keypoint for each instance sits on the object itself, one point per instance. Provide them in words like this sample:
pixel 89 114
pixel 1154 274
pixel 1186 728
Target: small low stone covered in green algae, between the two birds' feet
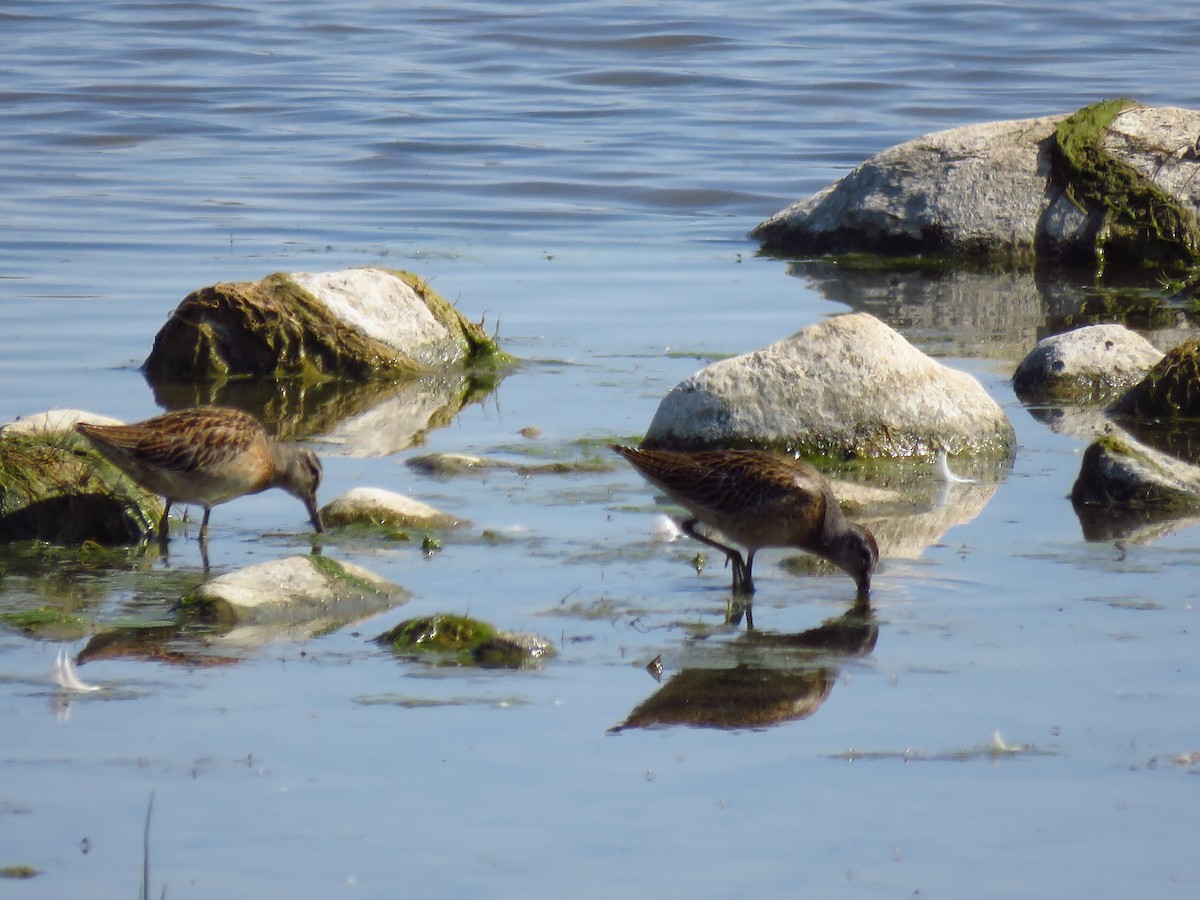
pixel 448 639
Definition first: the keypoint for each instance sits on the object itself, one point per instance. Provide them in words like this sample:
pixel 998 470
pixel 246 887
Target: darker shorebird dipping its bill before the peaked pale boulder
pixel 759 500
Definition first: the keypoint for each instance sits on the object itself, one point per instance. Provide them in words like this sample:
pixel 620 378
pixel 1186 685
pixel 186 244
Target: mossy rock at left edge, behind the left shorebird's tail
pixel 57 488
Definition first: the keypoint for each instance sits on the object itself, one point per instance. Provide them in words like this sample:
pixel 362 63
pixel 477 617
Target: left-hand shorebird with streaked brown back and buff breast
pixel 207 457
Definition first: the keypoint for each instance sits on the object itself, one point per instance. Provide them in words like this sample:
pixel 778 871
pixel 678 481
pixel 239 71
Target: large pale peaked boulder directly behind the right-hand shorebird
pixel 849 387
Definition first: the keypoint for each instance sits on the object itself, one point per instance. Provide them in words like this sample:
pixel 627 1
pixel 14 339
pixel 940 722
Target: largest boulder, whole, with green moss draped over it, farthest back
pixel 1113 181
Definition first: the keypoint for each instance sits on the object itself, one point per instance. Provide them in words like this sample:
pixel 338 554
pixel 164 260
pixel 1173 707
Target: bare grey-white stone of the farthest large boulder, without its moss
pixel 982 190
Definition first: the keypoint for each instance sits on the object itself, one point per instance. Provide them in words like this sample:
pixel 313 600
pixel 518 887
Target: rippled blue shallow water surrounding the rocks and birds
pixel 584 176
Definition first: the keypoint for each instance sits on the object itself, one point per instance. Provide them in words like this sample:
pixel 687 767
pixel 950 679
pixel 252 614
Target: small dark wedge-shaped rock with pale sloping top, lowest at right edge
pixel 1120 473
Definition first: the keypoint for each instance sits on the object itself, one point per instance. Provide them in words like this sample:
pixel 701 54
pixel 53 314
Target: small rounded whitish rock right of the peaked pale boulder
pixel 1089 365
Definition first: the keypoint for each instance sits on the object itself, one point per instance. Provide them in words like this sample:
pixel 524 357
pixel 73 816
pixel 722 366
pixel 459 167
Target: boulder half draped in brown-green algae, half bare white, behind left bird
pixel 352 325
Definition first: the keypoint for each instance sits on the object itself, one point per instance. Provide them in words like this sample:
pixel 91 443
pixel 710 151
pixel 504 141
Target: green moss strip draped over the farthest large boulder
pixel 1136 221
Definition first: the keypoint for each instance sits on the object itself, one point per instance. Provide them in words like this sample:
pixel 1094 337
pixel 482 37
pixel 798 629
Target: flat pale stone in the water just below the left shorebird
pixel 301 595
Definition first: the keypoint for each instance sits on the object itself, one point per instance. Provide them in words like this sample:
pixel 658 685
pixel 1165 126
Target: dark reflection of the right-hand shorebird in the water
pixel 761 679
